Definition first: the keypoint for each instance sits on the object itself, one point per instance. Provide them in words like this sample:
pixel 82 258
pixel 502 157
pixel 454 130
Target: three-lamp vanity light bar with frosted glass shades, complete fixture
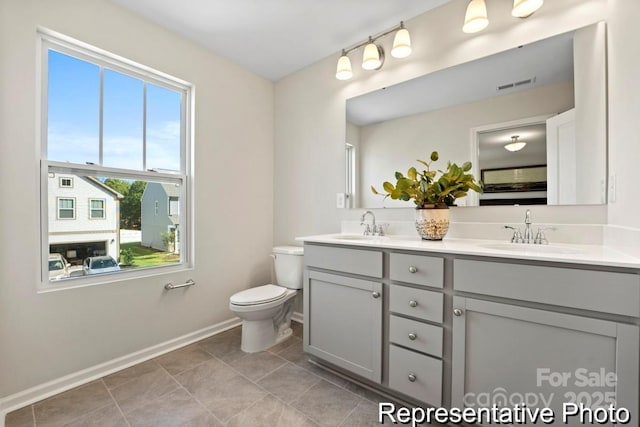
pixel 373 54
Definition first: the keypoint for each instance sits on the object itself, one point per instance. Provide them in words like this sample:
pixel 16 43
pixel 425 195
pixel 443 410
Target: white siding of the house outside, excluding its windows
pixel 82 229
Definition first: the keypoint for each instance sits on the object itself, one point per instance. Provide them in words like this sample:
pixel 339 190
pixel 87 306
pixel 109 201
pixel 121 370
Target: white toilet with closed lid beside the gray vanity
pixel 266 310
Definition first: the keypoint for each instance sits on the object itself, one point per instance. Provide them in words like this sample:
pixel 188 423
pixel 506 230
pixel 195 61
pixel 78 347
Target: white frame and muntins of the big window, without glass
pixel 48 39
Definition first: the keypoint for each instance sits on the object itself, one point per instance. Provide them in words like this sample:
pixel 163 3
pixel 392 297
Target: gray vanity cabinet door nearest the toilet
pixel 343 322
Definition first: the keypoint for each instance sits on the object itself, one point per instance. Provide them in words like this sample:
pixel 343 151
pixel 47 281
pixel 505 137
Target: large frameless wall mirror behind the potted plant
pixel 547 97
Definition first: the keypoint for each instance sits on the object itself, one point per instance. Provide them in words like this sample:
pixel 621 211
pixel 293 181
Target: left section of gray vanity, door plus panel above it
pixel 343 314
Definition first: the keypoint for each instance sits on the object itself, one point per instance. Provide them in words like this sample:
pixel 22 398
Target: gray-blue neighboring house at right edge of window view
pixel 160 213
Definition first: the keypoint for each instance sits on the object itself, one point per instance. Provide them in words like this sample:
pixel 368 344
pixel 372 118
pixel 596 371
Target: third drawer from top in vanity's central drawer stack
pixel 416 335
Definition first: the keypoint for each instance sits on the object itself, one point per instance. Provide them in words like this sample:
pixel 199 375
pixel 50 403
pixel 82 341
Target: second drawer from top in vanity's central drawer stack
pixel 418 303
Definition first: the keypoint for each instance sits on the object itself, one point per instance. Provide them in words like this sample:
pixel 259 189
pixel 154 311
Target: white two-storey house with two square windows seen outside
pixel 84 217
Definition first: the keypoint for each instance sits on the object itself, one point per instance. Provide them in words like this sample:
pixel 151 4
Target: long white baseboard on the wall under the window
pixel 59 385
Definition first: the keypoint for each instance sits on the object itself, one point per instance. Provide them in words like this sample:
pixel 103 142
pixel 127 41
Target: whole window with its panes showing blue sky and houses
pixel 114 132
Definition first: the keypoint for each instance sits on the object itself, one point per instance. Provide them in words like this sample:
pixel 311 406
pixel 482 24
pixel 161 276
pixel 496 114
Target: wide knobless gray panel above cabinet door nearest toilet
pixel 355 261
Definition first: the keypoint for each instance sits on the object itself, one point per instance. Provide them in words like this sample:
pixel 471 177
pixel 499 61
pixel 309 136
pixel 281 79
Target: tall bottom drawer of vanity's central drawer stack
pixel 415 375
